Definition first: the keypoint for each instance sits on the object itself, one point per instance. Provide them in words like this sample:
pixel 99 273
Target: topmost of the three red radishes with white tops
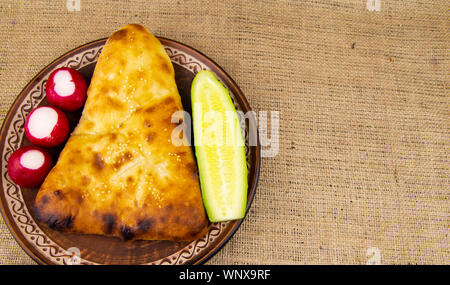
pixel 66 89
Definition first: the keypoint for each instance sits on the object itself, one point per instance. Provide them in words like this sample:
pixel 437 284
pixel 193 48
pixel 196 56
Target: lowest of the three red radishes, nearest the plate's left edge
pixel 29 165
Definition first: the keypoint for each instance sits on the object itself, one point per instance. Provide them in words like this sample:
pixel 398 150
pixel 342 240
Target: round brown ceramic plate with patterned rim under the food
pixel 47 246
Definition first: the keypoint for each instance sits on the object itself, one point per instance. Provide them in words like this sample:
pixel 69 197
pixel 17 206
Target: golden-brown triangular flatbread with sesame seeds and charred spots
pixel 119 173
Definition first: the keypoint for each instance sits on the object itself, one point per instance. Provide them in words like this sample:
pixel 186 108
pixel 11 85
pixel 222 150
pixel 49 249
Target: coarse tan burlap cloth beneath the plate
pixel 363 165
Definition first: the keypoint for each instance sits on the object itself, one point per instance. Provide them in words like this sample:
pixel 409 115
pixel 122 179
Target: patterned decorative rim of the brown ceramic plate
pixel 21 223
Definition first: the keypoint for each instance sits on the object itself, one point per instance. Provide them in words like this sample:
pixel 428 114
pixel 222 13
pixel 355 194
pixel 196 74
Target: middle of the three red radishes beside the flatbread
pixel 47 126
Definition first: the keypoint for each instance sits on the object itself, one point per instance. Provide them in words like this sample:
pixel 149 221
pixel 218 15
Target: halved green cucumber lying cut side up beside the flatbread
pixel 219 148
